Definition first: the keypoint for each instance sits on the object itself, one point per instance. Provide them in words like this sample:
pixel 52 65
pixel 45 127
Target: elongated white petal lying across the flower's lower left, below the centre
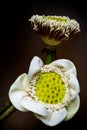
pixel 33 106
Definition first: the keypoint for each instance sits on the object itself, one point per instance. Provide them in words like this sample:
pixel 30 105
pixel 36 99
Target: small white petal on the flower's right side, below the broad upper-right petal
pixel 73 81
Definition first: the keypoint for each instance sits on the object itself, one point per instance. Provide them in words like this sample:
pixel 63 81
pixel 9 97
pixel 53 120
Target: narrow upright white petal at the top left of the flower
pixel 35 66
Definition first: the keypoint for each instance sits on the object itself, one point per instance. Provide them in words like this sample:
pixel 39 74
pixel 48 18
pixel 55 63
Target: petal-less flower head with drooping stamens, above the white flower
pixel 54 29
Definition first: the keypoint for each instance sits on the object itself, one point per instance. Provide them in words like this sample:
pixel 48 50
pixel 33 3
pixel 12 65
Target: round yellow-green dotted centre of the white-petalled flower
pixel 50 88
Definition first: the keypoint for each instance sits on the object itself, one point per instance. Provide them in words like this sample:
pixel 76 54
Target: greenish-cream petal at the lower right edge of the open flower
pixel 72 108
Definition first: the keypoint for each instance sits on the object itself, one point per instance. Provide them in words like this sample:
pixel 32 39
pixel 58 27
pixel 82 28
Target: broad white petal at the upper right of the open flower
pixel 67 64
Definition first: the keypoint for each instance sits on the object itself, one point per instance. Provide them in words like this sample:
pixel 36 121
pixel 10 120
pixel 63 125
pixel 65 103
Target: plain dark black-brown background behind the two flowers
pixel 19 43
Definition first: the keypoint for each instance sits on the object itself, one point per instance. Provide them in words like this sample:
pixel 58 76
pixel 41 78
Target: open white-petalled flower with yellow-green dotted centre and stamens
pixel 50 91
